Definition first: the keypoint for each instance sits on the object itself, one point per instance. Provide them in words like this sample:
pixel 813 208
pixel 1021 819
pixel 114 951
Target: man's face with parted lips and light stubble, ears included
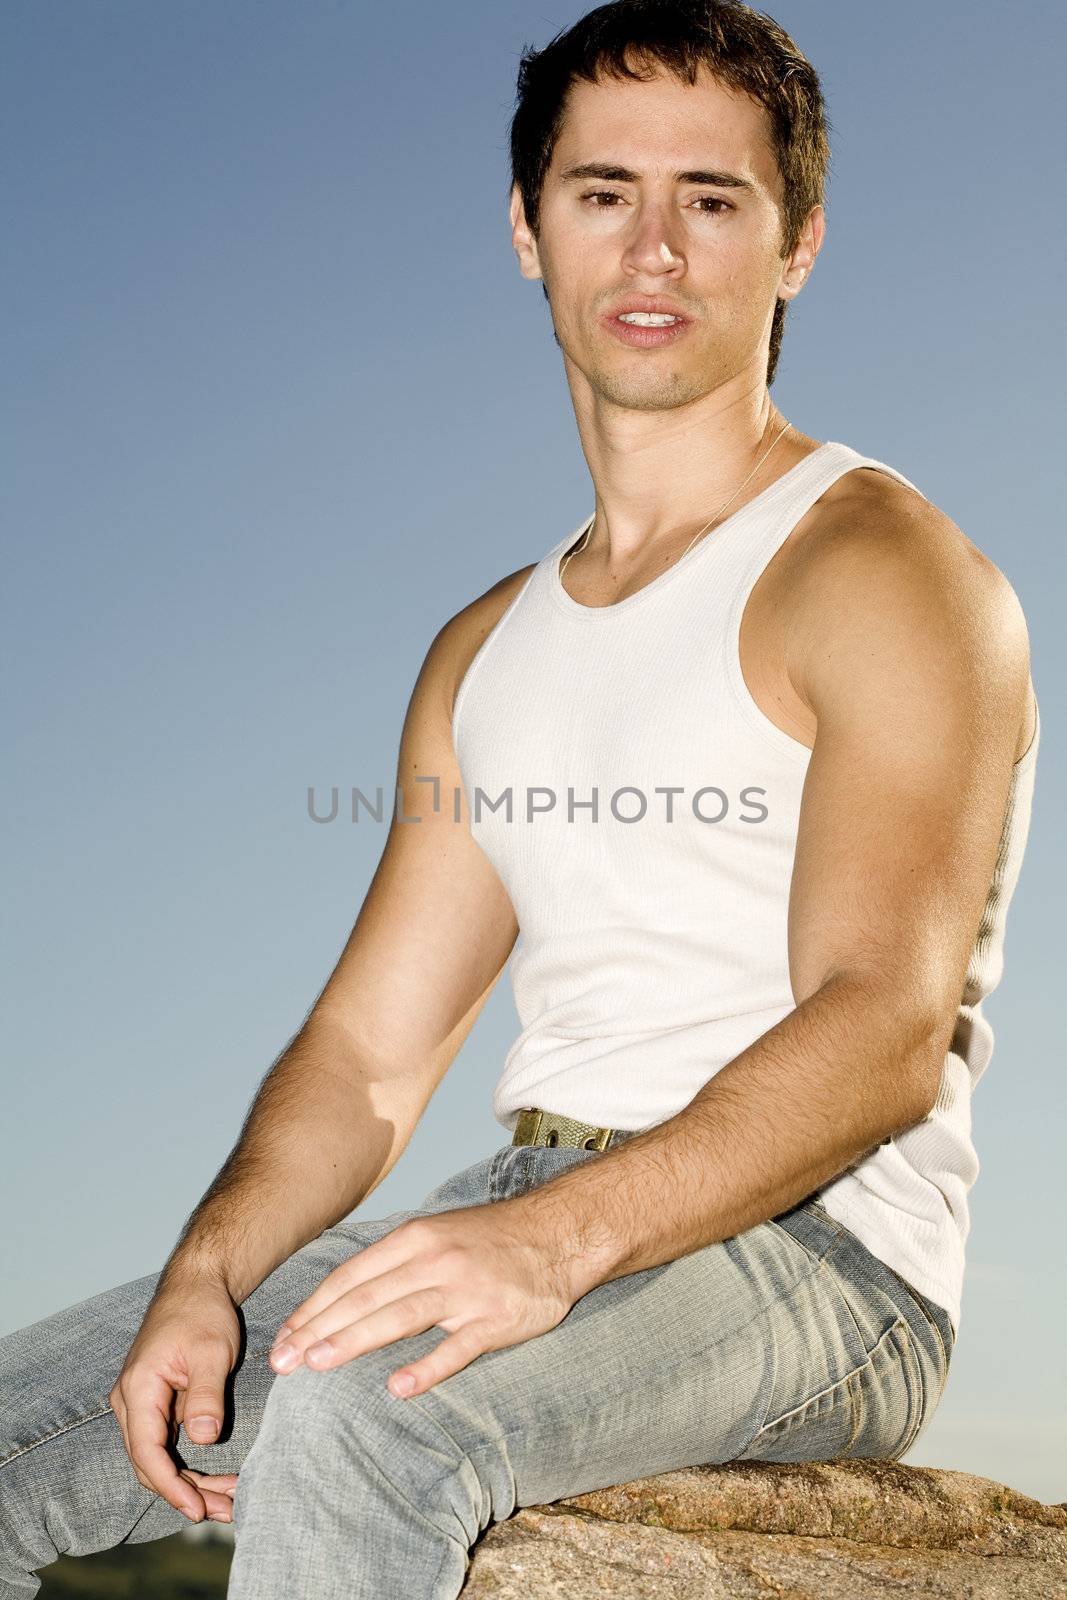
pixel 711 250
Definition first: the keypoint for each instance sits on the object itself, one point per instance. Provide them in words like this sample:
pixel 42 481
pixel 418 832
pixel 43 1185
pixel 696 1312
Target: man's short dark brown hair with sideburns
pixel 745 49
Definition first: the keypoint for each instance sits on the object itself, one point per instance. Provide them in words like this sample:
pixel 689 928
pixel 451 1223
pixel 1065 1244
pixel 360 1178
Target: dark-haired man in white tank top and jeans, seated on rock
pixel 733 1217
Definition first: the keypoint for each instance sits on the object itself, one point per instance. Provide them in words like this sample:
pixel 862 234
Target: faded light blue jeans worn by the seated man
pixel 788 1343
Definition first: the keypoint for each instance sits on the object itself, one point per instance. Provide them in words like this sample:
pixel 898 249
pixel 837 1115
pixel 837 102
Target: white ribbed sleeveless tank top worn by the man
pixel 642 814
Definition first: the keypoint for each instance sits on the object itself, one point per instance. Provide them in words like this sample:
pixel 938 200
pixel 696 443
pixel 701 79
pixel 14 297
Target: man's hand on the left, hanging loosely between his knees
pixel 177 1370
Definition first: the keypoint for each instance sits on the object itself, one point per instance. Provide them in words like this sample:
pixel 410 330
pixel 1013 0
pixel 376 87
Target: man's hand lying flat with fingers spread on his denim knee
pixel 484 1274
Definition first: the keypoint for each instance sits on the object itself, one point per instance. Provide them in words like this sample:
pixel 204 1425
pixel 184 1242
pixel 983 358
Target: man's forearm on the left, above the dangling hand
pixel 321 1135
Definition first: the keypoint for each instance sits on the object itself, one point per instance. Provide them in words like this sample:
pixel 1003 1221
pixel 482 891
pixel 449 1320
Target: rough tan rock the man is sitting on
pixel 858 1530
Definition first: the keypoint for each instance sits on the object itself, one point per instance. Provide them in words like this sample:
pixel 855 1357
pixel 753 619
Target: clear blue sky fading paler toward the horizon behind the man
pixel 279 404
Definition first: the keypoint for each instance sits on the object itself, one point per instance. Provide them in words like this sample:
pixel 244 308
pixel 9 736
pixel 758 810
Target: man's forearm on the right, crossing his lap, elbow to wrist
pixel 802 1103
